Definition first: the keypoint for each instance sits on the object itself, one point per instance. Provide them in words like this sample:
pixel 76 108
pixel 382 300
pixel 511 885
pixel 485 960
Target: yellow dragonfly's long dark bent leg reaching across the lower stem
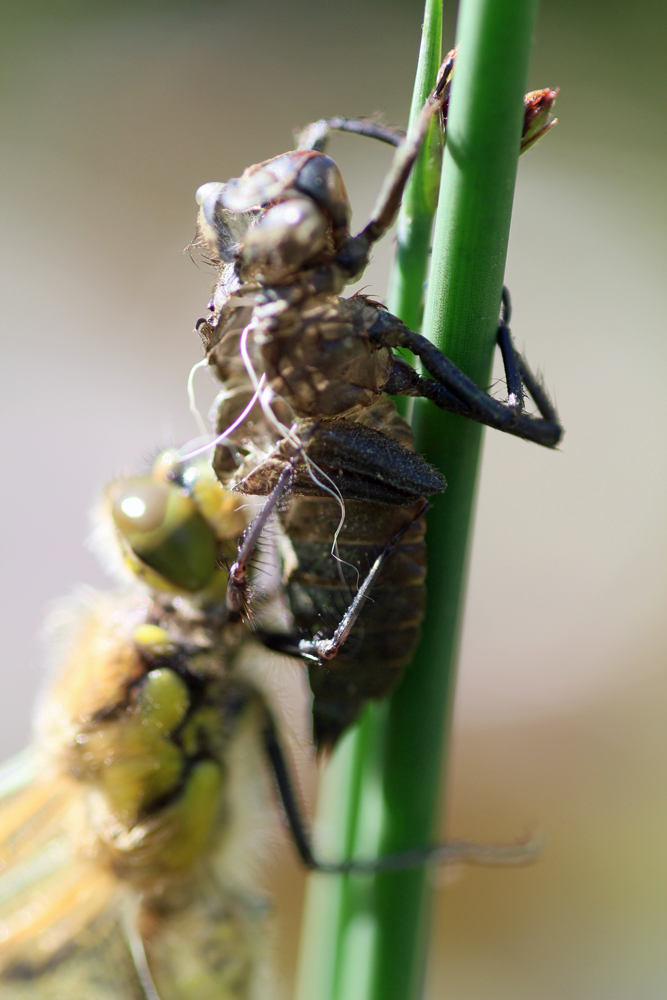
pixel 455 851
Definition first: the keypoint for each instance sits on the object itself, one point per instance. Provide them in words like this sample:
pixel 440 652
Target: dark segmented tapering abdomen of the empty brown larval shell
pixel 319 589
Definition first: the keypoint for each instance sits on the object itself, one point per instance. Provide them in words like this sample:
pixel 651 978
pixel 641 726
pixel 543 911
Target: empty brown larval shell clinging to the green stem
pixel 305 407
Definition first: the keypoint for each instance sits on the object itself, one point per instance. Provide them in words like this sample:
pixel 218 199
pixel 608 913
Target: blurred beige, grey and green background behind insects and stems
pixel 113 114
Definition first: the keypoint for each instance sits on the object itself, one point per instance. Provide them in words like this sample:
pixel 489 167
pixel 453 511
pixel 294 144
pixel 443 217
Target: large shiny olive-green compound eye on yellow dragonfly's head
pixel 165 530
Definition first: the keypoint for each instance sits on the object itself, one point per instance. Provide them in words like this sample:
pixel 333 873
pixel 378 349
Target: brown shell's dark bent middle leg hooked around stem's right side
pixel 453 390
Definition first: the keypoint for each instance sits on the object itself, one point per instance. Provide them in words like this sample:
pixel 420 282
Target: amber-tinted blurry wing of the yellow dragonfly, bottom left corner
pixel 59 933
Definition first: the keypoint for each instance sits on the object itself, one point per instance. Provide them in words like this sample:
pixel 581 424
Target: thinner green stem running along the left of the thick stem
pixel 327 935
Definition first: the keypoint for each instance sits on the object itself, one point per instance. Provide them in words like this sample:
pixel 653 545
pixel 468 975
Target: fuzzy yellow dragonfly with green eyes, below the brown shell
pixel 129 834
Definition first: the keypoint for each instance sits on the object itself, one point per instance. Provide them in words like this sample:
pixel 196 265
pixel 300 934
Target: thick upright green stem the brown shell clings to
pixel 365 938
